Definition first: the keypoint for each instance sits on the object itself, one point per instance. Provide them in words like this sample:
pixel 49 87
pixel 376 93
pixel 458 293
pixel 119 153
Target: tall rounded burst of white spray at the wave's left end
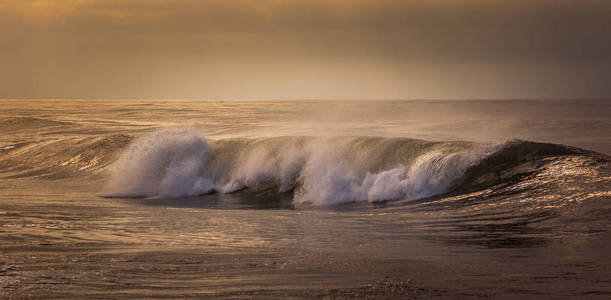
pixel 167 163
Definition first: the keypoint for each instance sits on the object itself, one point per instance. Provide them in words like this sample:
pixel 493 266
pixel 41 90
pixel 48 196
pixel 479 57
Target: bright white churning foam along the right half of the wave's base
pixel 433 173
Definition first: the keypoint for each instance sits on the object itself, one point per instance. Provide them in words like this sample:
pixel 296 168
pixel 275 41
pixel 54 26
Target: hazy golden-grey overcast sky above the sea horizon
pixel 346 49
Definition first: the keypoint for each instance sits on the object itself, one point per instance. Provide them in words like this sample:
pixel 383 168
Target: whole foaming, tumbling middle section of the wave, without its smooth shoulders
pixel 321 171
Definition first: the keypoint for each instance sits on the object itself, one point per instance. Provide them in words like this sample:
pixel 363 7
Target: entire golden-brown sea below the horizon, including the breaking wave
pixel 305 199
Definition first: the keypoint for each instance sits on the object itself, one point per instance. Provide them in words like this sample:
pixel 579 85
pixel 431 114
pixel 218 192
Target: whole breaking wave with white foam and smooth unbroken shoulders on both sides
pixel 180 162
